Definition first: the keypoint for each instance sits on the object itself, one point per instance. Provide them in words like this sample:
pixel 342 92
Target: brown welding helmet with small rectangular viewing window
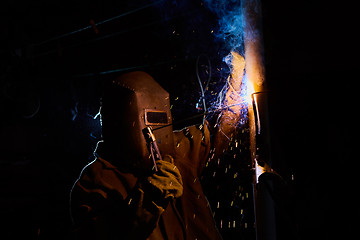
pixel 130 104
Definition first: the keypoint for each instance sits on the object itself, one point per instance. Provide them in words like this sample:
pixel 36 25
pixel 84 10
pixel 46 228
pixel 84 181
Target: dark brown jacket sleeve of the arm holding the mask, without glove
pixel 106 204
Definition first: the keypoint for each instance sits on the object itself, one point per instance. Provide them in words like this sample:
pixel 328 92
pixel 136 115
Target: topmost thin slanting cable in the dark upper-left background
pixel 99 23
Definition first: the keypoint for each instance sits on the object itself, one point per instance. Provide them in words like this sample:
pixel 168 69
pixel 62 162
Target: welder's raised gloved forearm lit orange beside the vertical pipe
pixel 230 115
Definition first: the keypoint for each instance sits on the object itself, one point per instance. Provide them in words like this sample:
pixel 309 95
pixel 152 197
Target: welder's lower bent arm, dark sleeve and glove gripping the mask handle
pixel 102 211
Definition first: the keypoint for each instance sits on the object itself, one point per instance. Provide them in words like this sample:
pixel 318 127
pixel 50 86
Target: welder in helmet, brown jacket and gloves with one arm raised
pixel 145 180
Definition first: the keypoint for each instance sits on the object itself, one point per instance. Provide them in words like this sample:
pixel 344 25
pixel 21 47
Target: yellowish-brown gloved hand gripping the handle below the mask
pixel 167 181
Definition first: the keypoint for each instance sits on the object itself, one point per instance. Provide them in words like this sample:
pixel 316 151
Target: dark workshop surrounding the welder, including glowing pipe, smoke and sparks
pixel 289 172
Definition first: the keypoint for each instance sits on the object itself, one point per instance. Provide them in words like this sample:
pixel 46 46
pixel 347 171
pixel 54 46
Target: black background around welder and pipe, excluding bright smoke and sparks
pixel 51 85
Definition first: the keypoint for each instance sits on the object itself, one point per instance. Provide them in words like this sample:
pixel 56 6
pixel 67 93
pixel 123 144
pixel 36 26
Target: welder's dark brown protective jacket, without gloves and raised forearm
pixel 110 203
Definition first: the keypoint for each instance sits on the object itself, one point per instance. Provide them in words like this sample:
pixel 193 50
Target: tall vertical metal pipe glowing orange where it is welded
pixel 258 120
